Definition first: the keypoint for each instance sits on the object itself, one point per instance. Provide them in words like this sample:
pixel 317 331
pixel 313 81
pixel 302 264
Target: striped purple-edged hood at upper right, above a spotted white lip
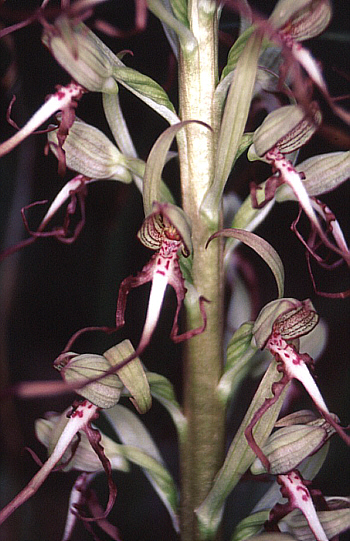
pixel 287 129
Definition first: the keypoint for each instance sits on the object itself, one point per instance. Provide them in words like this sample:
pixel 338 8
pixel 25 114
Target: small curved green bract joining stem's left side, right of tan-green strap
pixel 163 391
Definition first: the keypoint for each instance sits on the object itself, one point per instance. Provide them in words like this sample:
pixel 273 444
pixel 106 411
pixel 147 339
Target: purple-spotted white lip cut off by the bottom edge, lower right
pixel 298 494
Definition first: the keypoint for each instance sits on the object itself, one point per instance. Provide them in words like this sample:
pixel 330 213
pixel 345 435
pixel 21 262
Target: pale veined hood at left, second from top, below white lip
pixel 89 152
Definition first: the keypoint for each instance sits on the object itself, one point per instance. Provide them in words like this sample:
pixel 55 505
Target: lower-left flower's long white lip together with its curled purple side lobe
pixel 79 419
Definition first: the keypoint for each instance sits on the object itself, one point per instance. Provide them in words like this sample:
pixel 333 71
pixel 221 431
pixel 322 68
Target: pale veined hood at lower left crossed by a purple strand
pixel 77 369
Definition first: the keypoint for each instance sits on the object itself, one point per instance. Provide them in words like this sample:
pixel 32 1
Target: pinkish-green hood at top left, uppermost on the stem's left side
pixel 86 58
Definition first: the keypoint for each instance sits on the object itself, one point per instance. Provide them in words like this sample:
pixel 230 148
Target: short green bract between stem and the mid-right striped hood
pixel 239 361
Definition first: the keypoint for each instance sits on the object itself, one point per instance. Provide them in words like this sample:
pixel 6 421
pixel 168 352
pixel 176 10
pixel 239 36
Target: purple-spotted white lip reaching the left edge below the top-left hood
pixel 63 98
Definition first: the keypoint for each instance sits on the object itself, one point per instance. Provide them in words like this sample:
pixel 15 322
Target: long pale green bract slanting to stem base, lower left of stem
pixel 141 449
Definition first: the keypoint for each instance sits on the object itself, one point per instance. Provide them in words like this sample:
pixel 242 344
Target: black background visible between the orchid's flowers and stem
pixel 49 290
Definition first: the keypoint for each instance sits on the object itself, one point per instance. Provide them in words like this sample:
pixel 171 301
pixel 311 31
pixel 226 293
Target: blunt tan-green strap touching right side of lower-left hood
pixel 132 375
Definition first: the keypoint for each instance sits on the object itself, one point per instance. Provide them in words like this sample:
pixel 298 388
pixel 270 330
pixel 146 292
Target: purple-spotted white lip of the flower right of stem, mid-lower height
pixel 294 366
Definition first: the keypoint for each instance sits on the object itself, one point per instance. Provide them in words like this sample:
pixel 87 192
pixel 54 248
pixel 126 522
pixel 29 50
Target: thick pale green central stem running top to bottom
pixel 203 449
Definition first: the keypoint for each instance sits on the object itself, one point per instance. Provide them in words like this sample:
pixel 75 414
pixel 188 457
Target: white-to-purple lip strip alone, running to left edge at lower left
pixel 84 413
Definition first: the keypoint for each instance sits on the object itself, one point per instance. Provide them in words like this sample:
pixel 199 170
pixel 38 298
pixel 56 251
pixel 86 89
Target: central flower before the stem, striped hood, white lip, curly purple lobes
pixel 165 230
